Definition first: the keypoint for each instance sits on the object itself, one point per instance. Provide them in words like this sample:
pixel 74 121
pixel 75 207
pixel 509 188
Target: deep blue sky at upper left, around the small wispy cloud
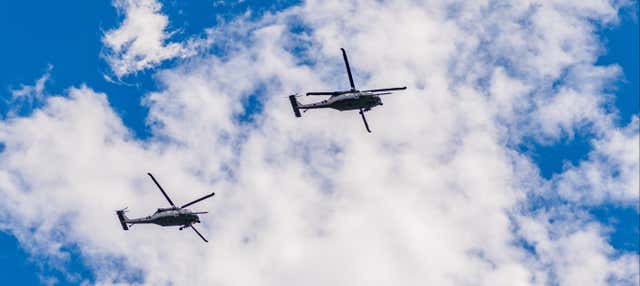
pixel 71 42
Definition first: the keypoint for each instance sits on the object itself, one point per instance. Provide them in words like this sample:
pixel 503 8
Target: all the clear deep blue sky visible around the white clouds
pixel 67 36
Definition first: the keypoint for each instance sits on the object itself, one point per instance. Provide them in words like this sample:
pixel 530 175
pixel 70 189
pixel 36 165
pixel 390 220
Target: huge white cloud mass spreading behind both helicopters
pixel 434 196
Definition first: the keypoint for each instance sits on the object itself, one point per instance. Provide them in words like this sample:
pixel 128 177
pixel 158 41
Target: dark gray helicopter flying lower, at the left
pixel 172 216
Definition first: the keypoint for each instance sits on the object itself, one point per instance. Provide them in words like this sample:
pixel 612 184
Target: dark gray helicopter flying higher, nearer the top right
pixel 351 99
